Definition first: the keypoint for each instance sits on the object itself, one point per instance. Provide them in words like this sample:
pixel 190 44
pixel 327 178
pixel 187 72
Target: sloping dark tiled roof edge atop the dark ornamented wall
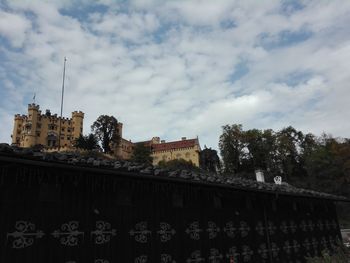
pixel 97 161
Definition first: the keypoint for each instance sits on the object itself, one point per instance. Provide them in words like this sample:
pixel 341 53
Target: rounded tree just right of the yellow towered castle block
pixel 105 129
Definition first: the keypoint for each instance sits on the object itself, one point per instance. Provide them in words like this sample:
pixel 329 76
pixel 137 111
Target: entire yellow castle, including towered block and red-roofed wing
pixel 57 133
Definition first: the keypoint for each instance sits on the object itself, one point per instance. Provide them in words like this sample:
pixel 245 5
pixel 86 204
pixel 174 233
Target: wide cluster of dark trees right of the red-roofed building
pixel 305 160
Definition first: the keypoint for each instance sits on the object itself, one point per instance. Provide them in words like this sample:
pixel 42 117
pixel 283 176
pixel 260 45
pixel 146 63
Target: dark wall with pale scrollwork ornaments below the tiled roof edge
pixel 62 215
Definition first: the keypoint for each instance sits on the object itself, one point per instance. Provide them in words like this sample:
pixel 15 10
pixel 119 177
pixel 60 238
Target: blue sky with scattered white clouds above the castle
pixel 180 67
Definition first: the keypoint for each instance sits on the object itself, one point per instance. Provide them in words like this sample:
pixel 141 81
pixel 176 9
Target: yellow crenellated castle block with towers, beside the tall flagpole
pixel 46 129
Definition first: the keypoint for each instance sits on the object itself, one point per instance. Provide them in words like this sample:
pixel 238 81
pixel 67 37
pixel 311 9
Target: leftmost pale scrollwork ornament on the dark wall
pixel 24 234
